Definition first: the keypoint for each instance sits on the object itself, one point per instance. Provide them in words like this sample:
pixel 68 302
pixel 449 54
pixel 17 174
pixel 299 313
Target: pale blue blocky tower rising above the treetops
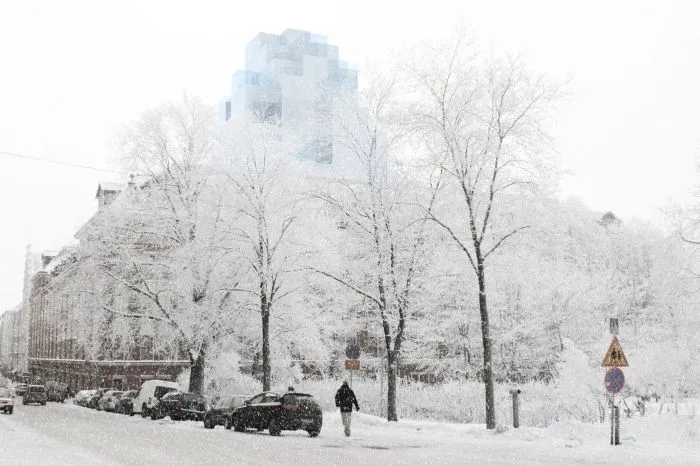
pixel 294 78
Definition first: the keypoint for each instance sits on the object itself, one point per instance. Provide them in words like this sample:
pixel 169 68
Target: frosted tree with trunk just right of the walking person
pixel 385 233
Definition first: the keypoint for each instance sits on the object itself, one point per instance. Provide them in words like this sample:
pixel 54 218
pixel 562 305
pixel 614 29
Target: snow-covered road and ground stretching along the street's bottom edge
pixel 67 434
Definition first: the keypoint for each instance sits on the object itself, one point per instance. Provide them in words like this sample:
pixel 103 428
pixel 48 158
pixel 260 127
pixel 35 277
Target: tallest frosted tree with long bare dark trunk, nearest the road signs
pixel 482 120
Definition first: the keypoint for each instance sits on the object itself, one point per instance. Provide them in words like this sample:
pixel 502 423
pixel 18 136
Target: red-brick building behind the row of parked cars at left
pixel 71 339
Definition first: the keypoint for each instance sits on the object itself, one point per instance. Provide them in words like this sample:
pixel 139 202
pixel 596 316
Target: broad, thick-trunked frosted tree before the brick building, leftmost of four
pixel 162 240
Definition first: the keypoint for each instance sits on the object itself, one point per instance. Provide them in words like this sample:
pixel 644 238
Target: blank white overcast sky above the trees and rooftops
pixel 71 72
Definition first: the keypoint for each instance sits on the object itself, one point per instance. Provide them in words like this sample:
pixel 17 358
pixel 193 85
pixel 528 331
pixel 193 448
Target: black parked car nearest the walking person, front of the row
pixel 279 411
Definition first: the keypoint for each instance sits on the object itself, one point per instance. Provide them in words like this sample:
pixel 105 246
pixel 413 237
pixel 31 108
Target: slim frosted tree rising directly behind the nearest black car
pixel 255 160
